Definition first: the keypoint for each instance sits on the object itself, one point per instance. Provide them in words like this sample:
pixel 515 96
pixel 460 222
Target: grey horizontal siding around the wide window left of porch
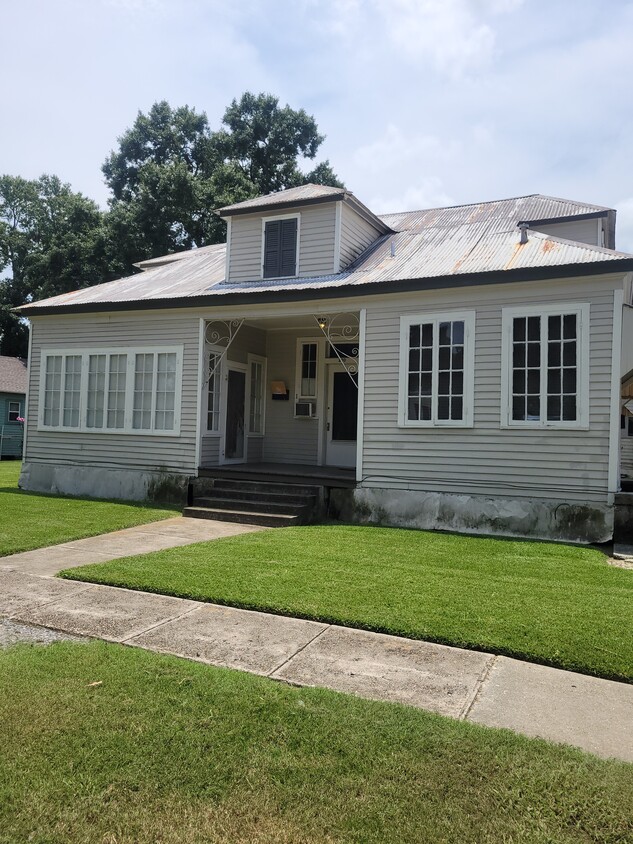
pixel 107 449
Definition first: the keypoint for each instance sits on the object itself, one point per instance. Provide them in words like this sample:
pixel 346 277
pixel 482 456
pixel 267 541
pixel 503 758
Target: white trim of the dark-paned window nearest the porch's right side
pixel 406 321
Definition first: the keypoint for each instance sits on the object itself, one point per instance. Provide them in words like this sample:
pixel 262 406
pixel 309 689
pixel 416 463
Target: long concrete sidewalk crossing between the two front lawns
pixel 595 715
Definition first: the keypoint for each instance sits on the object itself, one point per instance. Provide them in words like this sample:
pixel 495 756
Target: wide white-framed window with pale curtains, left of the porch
pixel 131 391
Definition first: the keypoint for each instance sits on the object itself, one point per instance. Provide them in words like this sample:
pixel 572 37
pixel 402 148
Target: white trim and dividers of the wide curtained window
pixel 131 351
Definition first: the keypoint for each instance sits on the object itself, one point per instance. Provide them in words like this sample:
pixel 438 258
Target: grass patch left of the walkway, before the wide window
pixel 31 520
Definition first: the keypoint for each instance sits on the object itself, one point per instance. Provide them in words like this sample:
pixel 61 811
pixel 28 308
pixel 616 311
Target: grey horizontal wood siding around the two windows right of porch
pixel 487 459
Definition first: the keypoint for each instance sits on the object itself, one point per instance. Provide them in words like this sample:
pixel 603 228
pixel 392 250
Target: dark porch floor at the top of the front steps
pixel 331 476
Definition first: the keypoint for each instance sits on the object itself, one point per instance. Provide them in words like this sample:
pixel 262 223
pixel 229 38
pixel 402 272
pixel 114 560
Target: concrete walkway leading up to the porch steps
pixel 142 539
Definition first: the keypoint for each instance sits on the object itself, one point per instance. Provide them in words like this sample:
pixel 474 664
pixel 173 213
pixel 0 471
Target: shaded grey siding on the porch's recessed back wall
pixel 287 440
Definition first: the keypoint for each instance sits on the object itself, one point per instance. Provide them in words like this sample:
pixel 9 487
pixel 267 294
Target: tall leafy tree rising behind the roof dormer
pixel 170 171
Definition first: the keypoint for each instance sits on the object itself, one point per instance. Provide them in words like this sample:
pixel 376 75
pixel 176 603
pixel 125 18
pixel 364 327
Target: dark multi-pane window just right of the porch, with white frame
pixel 437 370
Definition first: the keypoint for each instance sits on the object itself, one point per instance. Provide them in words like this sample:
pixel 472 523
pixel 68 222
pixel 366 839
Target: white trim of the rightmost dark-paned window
pixel 583 314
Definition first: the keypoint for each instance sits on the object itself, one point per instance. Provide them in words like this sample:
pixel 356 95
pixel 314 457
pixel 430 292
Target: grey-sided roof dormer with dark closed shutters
pixel 312 230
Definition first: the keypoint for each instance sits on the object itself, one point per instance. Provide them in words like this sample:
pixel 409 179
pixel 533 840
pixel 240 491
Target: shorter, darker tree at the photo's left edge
pixel 52 240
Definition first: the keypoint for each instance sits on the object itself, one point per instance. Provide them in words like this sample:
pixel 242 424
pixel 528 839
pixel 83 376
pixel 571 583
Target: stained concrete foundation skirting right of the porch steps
pixel 487 515
